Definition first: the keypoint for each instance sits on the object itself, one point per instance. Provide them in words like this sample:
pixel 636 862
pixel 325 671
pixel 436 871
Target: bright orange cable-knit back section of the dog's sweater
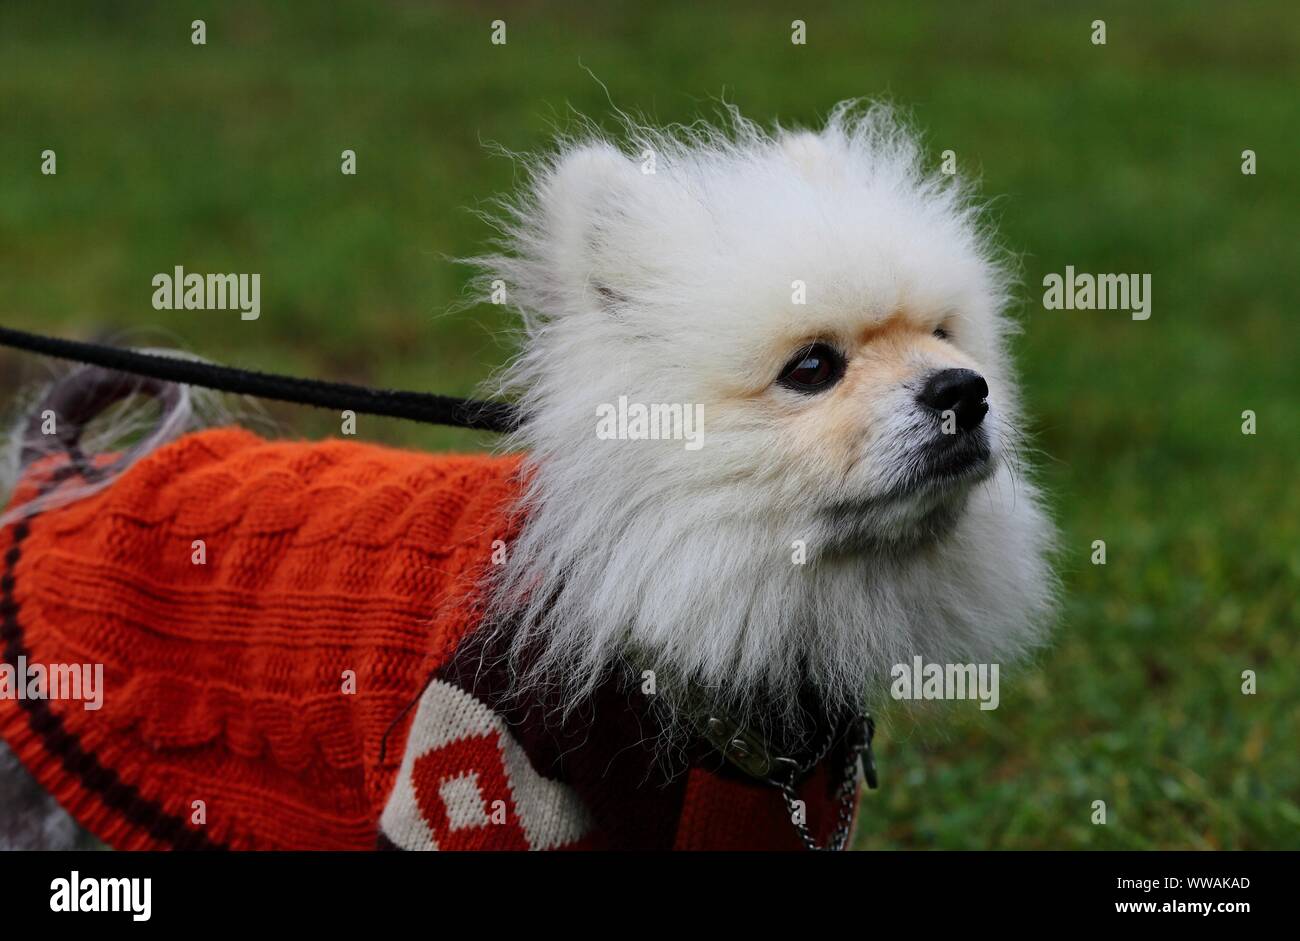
pixel 226 680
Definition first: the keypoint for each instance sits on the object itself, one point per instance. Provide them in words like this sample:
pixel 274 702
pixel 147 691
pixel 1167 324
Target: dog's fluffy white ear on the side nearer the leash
pixel 590 202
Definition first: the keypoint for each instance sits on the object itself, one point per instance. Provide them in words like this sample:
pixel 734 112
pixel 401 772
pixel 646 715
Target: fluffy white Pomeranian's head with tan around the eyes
pixel 853 496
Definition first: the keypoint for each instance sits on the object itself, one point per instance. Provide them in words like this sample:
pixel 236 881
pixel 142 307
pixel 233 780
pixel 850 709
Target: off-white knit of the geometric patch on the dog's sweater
pixel 549 813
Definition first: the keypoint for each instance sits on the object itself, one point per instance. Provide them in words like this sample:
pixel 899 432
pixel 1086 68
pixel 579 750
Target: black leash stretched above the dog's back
pixel 424 407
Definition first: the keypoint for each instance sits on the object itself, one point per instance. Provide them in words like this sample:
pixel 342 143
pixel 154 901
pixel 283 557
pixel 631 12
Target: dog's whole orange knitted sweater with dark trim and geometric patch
pixel 266 615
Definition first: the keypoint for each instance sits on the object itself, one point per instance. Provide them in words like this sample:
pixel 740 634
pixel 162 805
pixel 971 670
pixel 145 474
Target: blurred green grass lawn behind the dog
pixel 1124 158
